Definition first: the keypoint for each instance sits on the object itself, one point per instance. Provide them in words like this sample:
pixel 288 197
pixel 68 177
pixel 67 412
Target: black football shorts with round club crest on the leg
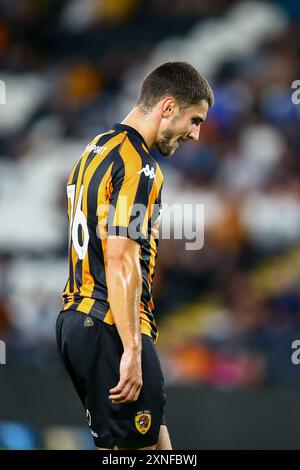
pixel 91 351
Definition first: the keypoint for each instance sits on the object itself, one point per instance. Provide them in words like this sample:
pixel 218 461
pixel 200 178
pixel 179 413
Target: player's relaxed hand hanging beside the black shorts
pixel 130 383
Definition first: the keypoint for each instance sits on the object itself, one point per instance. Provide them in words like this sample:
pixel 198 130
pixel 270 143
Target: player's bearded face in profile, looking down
pixel 183 125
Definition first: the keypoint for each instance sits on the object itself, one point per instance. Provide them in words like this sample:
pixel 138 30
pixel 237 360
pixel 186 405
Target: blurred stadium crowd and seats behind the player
pixel 228 313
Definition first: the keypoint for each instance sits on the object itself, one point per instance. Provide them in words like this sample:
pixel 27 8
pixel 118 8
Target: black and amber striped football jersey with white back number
pixel 114 189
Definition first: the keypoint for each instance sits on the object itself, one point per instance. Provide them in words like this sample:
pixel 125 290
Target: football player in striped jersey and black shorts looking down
pixel 106 329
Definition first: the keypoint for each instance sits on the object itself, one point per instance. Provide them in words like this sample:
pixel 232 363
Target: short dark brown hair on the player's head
pixel 177 79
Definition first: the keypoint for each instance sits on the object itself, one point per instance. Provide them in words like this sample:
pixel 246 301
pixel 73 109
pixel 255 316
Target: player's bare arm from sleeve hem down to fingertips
pixel 124 284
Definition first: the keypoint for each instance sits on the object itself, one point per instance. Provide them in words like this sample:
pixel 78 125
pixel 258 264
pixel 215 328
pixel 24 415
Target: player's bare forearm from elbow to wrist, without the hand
pixel 124 284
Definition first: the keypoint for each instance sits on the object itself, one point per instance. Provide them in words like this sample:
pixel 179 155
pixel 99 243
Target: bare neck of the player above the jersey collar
pixel 145 124
